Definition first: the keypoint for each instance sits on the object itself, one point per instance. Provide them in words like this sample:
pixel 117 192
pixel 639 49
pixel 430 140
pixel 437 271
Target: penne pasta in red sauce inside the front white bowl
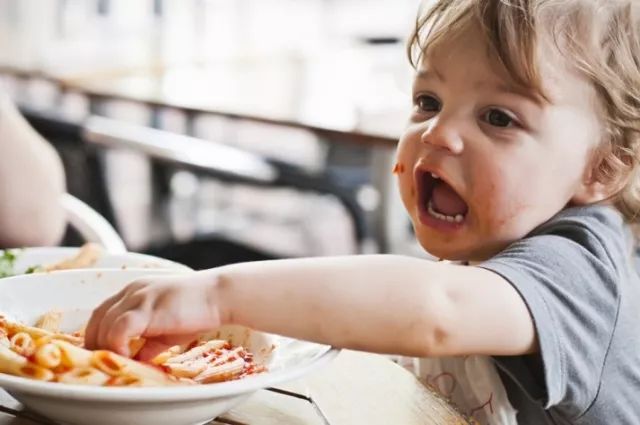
pixel 45 355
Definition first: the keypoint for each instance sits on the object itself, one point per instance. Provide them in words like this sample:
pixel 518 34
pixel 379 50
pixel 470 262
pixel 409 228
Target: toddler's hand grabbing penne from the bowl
pixel 166 311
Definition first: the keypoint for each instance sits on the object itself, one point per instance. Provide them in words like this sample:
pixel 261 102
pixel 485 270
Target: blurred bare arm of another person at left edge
pixel 31 183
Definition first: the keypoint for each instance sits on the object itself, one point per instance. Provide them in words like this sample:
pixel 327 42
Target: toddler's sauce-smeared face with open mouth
pixel 505 162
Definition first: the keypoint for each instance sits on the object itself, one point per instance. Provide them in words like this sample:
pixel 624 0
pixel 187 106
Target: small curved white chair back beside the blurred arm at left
pixel 91 226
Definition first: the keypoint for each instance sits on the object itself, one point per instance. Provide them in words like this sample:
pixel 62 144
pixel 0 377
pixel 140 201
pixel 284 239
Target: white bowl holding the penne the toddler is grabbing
pixel 76 293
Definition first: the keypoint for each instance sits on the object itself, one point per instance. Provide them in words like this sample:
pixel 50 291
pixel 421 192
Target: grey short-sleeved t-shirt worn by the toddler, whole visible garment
pixel 577 275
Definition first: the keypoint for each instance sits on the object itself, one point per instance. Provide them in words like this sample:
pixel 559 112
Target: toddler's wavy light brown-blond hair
pixel 599 38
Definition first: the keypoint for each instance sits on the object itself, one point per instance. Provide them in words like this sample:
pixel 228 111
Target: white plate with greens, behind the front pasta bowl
pixel 30 257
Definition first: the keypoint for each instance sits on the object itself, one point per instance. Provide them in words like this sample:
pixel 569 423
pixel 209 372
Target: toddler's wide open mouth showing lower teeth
pixel 439 201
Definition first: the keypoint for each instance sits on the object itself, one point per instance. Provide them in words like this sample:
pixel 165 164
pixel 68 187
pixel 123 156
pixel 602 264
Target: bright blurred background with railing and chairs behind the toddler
pixel 215 131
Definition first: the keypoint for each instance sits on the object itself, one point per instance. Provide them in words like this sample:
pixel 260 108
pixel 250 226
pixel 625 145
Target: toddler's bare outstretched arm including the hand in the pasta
pixel 380 303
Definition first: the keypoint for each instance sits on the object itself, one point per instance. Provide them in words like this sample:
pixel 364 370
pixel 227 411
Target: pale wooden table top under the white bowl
pixel 356 388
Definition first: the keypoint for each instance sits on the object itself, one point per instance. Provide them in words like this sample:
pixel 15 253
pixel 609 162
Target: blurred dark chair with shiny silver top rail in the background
pixel 82 142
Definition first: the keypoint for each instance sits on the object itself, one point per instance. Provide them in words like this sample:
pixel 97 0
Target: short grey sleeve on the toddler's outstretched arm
pixel 567 272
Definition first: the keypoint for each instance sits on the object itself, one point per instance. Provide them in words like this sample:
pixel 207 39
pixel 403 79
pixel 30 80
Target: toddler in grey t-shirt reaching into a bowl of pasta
pixel 519 161
